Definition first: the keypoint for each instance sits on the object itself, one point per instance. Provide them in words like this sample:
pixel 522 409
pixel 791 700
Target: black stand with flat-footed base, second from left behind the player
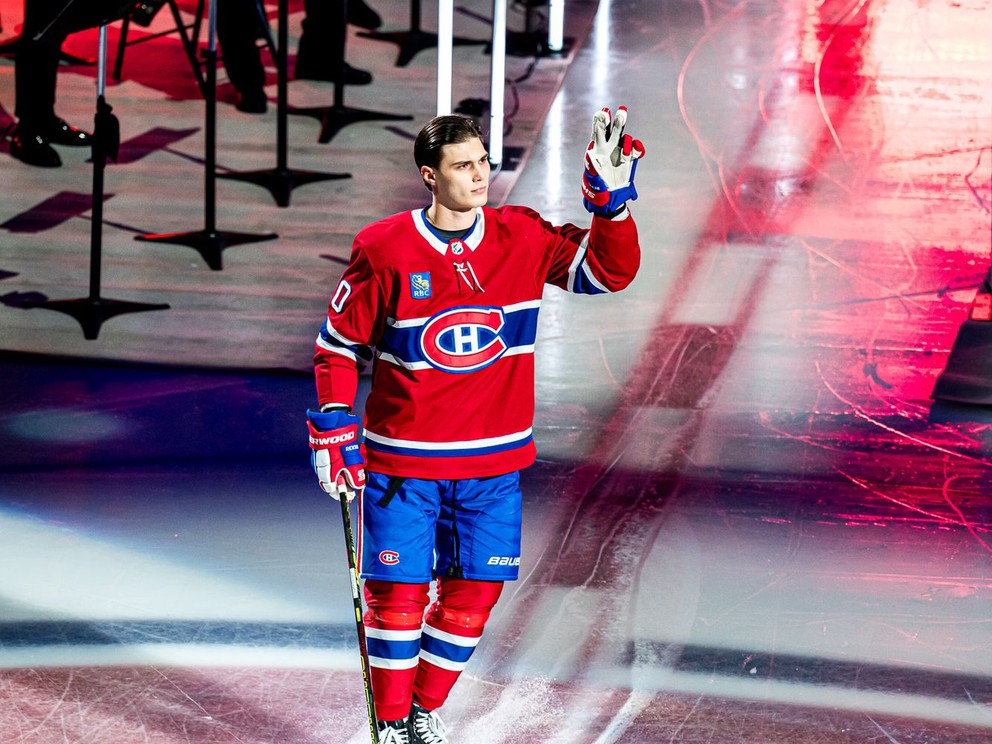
pixel 209 242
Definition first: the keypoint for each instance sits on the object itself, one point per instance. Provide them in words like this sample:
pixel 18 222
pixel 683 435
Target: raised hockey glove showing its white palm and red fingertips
pixel 611 162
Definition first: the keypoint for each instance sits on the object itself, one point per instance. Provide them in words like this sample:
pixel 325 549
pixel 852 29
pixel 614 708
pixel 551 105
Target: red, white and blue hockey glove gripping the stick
pixel 338 455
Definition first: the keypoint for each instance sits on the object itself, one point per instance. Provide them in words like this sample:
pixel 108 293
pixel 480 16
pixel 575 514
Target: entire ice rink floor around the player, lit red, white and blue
pixel 749 523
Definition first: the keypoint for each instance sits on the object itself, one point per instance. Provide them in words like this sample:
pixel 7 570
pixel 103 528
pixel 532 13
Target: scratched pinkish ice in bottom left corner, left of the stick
pixel 168 705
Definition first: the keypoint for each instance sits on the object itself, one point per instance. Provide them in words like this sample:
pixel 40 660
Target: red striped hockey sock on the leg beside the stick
pixel 393 623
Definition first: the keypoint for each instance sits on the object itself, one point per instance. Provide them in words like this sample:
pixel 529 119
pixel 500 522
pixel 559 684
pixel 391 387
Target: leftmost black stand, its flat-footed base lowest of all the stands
pixel 93 310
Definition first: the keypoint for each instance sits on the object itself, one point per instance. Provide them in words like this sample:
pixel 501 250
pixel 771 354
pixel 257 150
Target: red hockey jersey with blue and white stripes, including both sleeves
pixel 451 326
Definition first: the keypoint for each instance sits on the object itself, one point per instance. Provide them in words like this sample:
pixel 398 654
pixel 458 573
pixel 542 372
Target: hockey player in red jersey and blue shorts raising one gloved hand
pixel 446 299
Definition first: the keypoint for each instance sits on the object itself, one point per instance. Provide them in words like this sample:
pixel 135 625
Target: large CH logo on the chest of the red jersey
pixel 463 339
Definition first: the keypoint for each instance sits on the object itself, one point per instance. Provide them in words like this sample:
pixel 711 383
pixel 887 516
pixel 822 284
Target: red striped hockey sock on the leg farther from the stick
pixel 452 630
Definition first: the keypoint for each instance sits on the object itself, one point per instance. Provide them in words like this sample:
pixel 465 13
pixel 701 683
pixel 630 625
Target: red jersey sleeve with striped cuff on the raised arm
pixel 599 260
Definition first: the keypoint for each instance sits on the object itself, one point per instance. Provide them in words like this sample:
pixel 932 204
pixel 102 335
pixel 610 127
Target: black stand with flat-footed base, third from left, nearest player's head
pixel 281 180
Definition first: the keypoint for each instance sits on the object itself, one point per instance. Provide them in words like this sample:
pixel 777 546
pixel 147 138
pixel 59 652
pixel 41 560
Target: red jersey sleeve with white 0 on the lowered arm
pixel 353 325
